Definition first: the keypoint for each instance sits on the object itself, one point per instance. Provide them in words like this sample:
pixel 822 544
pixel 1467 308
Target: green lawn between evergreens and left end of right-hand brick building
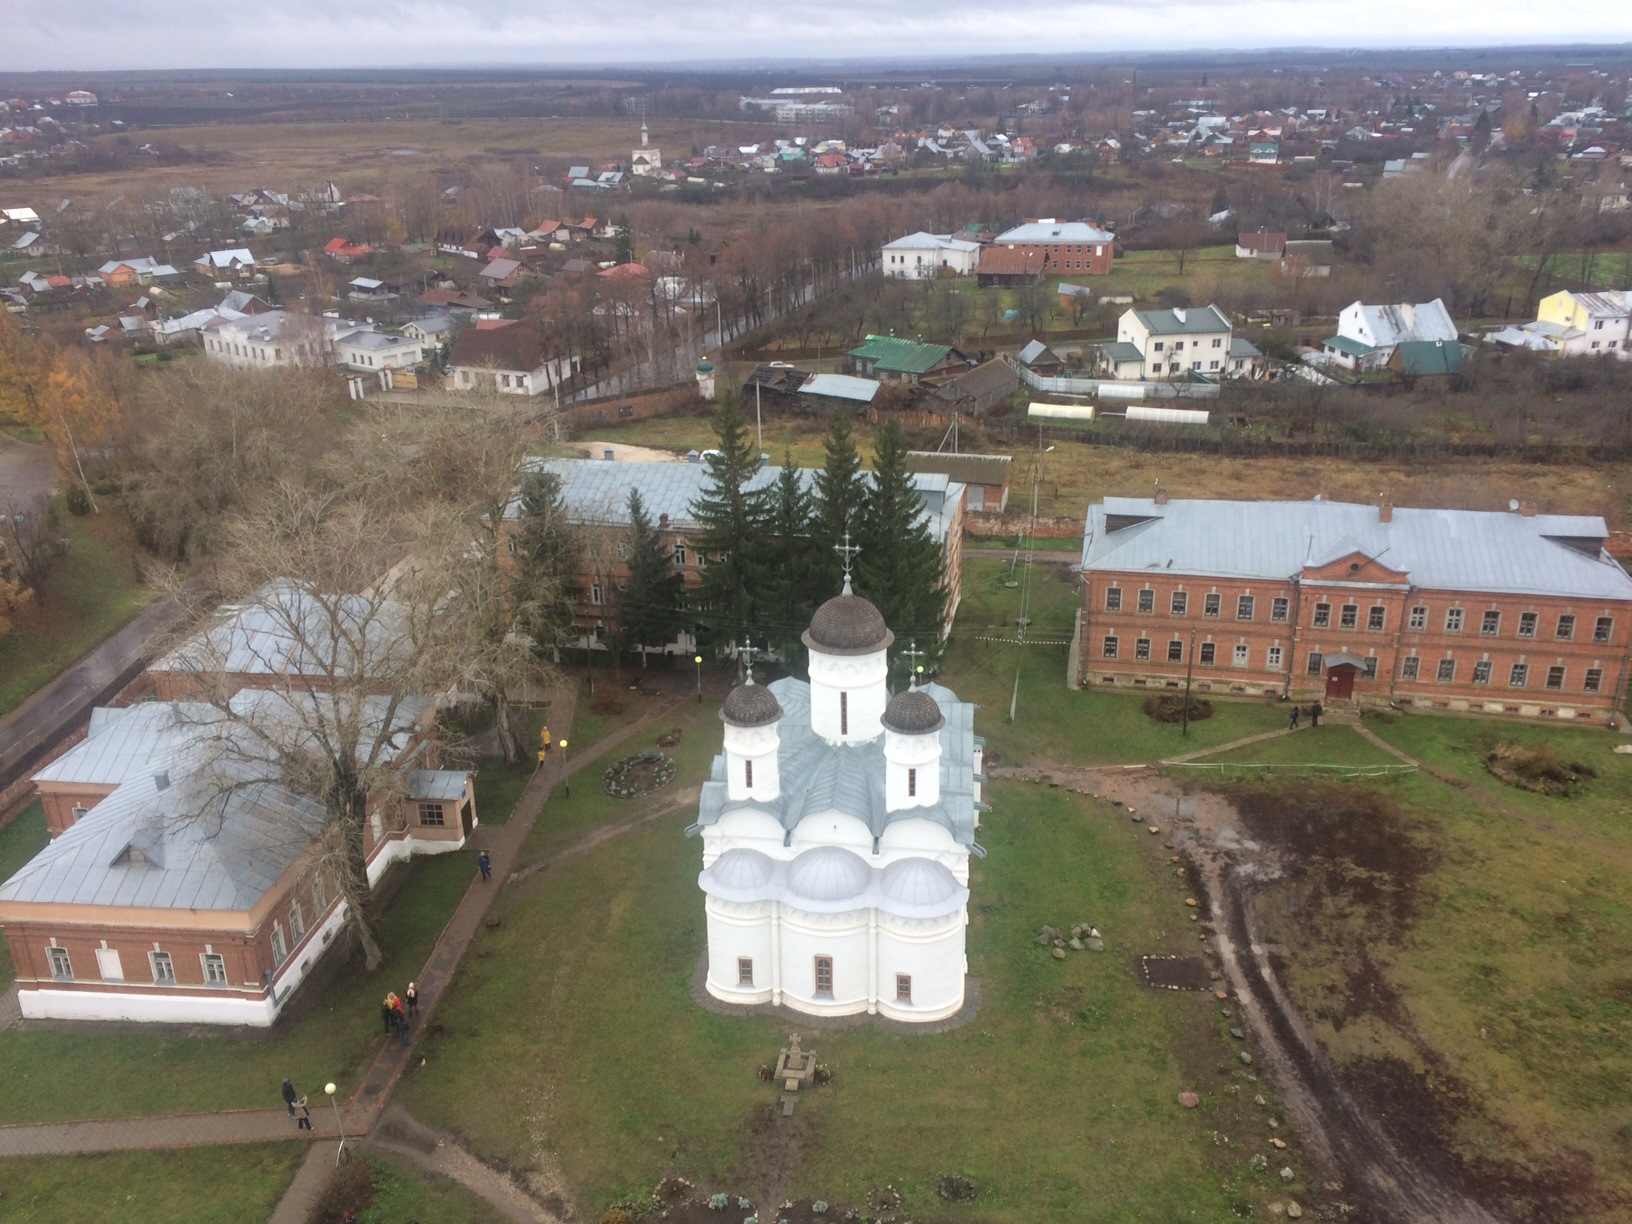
pixel 1052 722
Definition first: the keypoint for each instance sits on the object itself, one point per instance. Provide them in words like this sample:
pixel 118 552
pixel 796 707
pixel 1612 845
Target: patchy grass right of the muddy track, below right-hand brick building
pixel 1492 957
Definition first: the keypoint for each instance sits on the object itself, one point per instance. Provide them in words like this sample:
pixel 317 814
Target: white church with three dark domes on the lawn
pixel 838 828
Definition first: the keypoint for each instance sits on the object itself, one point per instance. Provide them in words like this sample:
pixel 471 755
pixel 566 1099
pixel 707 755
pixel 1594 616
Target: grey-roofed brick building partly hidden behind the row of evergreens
pixel 596 495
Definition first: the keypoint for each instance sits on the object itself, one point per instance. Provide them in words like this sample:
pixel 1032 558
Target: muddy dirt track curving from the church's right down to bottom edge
pixel 1367 1173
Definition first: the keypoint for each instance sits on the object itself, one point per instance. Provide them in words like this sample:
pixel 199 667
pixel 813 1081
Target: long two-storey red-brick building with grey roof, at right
pixel 1473 611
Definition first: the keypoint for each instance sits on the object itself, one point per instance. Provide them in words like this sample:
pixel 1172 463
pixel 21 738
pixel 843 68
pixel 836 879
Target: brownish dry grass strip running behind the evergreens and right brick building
pixel 1076 474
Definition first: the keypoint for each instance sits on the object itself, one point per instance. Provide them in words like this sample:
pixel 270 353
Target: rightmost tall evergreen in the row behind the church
pixel 900 565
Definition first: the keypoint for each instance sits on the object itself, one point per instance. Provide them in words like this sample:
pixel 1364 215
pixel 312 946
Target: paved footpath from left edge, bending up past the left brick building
pixel 360 1114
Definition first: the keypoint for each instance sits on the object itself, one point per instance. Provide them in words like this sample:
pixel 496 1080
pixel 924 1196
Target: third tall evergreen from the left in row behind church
pixel 734 536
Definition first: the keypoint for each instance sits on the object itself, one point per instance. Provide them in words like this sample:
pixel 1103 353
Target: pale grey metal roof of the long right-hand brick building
pixel 1439 549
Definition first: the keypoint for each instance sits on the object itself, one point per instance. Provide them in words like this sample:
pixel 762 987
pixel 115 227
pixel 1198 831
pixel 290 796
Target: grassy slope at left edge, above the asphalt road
pixel 87 596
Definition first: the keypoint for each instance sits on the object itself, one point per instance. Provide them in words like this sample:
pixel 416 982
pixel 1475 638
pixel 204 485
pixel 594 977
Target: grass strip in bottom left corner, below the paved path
pixel 200 1186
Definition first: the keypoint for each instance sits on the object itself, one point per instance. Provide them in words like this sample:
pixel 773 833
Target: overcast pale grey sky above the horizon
pixel 384 33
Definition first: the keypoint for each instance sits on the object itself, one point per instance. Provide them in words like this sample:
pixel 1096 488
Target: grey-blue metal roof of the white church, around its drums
pixel 818 778
